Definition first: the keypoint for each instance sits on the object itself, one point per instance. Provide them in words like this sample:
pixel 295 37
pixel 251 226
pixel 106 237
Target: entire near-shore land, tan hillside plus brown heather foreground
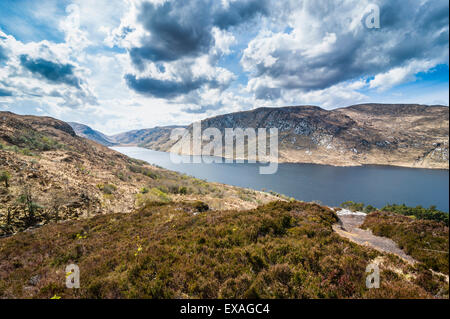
pixel 131 227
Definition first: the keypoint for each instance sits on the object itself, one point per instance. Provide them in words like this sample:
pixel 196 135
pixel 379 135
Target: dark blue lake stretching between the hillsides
pixel 374 185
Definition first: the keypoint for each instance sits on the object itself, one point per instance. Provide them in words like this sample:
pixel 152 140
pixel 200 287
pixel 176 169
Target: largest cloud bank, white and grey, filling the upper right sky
pixel 328 45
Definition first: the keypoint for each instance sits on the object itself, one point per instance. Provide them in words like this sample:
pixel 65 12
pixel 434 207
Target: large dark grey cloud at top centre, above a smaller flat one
pixel 183 28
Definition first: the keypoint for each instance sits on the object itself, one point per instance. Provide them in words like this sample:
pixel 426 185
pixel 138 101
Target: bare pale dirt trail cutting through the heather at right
pixel 348 227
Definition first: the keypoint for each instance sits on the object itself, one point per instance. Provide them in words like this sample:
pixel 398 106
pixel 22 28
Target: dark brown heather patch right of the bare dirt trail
pixel 425 240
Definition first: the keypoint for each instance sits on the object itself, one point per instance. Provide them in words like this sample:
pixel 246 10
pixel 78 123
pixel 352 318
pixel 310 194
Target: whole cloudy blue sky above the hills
pixel 118 65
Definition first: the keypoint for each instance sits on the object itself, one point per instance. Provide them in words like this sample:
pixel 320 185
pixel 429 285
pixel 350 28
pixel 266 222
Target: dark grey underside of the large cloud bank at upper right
pixel 410 30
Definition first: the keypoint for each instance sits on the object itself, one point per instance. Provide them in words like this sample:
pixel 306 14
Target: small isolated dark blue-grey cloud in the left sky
pixel 51 71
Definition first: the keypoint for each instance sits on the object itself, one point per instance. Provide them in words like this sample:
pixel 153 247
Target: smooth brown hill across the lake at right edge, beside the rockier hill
pixel 414 135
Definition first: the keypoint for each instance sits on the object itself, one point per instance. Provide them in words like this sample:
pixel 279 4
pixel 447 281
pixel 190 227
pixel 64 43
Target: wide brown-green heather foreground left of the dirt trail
pixel 168 250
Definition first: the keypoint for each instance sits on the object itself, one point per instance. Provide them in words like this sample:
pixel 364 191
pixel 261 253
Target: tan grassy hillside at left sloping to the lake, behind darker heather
pixel 49 174
